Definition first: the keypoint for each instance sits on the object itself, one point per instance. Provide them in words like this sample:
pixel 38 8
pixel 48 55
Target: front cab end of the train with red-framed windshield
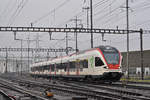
pixel 112 59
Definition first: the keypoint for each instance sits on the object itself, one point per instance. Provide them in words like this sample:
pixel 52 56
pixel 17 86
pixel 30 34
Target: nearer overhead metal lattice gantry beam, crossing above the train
pixel 70 30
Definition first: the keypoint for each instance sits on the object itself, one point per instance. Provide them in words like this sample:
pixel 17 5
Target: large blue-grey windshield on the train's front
pixel 112 58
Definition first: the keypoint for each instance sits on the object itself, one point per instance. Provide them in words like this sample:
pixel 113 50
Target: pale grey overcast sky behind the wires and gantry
pixel 58 13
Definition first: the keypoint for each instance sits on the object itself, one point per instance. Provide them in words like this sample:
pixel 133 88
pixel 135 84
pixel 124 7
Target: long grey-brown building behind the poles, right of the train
pixel 135 62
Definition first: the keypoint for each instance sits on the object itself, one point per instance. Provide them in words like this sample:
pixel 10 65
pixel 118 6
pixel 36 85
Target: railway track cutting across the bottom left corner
pixel 24 93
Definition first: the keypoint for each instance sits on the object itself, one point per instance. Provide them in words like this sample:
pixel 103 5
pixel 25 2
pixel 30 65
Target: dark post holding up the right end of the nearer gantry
pixel 141 44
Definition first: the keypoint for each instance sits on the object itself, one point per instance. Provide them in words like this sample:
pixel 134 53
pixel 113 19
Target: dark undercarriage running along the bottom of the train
pixel 106 77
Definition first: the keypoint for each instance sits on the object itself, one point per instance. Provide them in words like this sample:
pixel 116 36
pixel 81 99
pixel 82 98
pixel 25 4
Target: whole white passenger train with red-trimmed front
pixel 102 63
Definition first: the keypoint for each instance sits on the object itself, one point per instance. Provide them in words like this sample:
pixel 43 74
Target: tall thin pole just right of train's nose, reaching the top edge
pixel 127 13
